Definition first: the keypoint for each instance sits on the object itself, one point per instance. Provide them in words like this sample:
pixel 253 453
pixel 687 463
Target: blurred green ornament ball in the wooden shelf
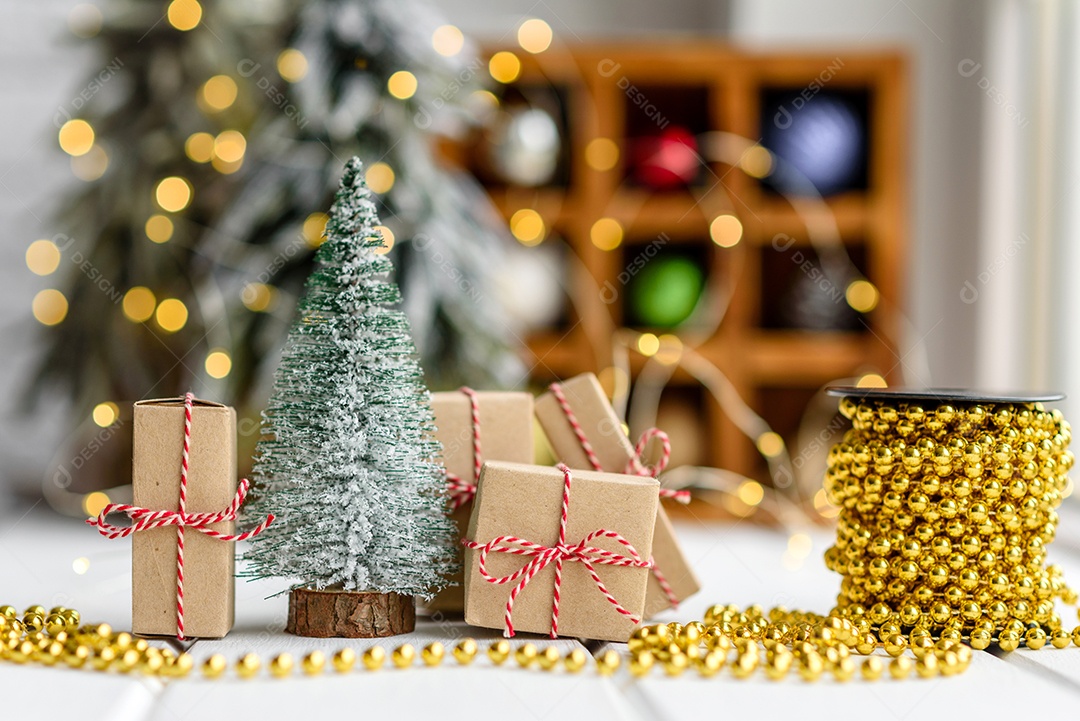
pixel 666 292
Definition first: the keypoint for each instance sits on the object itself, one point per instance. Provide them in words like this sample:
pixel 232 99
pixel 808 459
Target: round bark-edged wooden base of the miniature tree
pixel 331 613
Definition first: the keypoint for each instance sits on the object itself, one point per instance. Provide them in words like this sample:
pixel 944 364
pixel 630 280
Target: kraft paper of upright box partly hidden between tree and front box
pixel 506 434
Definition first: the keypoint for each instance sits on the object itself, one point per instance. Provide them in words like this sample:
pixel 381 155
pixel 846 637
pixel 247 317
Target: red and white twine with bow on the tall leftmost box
pixel 145 519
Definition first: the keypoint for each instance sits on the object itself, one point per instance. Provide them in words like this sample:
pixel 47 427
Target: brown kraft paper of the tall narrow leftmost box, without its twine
pixel 209 564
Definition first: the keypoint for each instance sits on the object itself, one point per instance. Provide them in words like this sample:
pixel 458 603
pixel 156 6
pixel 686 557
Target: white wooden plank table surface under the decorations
pixel 739 564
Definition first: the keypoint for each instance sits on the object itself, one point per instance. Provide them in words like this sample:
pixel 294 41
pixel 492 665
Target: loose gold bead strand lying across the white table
pixel 778 644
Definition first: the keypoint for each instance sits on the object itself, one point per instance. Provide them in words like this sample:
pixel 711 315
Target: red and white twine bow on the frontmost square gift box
pixel 545 556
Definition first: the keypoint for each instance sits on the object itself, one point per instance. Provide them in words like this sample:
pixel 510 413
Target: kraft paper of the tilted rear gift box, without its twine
pixel 615 452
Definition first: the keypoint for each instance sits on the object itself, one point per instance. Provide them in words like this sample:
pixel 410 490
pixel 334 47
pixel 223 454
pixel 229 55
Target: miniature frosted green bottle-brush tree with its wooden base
pixel 348 464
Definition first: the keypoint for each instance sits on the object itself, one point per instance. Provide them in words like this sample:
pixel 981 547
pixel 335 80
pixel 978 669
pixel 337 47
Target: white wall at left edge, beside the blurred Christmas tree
pixel 43 72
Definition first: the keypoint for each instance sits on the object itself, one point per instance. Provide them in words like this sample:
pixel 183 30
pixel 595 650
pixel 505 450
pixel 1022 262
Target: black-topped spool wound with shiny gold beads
pixel 948 507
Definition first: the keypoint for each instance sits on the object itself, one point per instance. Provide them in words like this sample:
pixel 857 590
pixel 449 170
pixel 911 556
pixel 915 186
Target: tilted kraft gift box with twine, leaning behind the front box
pixel 585 432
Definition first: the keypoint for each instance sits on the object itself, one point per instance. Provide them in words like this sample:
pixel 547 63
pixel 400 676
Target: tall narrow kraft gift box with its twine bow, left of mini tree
pixel 184 511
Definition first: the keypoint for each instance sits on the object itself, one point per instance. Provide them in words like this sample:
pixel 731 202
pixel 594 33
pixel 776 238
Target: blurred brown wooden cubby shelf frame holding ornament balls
pixel 592 79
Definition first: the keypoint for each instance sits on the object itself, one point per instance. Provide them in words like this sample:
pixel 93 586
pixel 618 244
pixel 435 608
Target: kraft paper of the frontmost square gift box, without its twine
pixel 526 501
